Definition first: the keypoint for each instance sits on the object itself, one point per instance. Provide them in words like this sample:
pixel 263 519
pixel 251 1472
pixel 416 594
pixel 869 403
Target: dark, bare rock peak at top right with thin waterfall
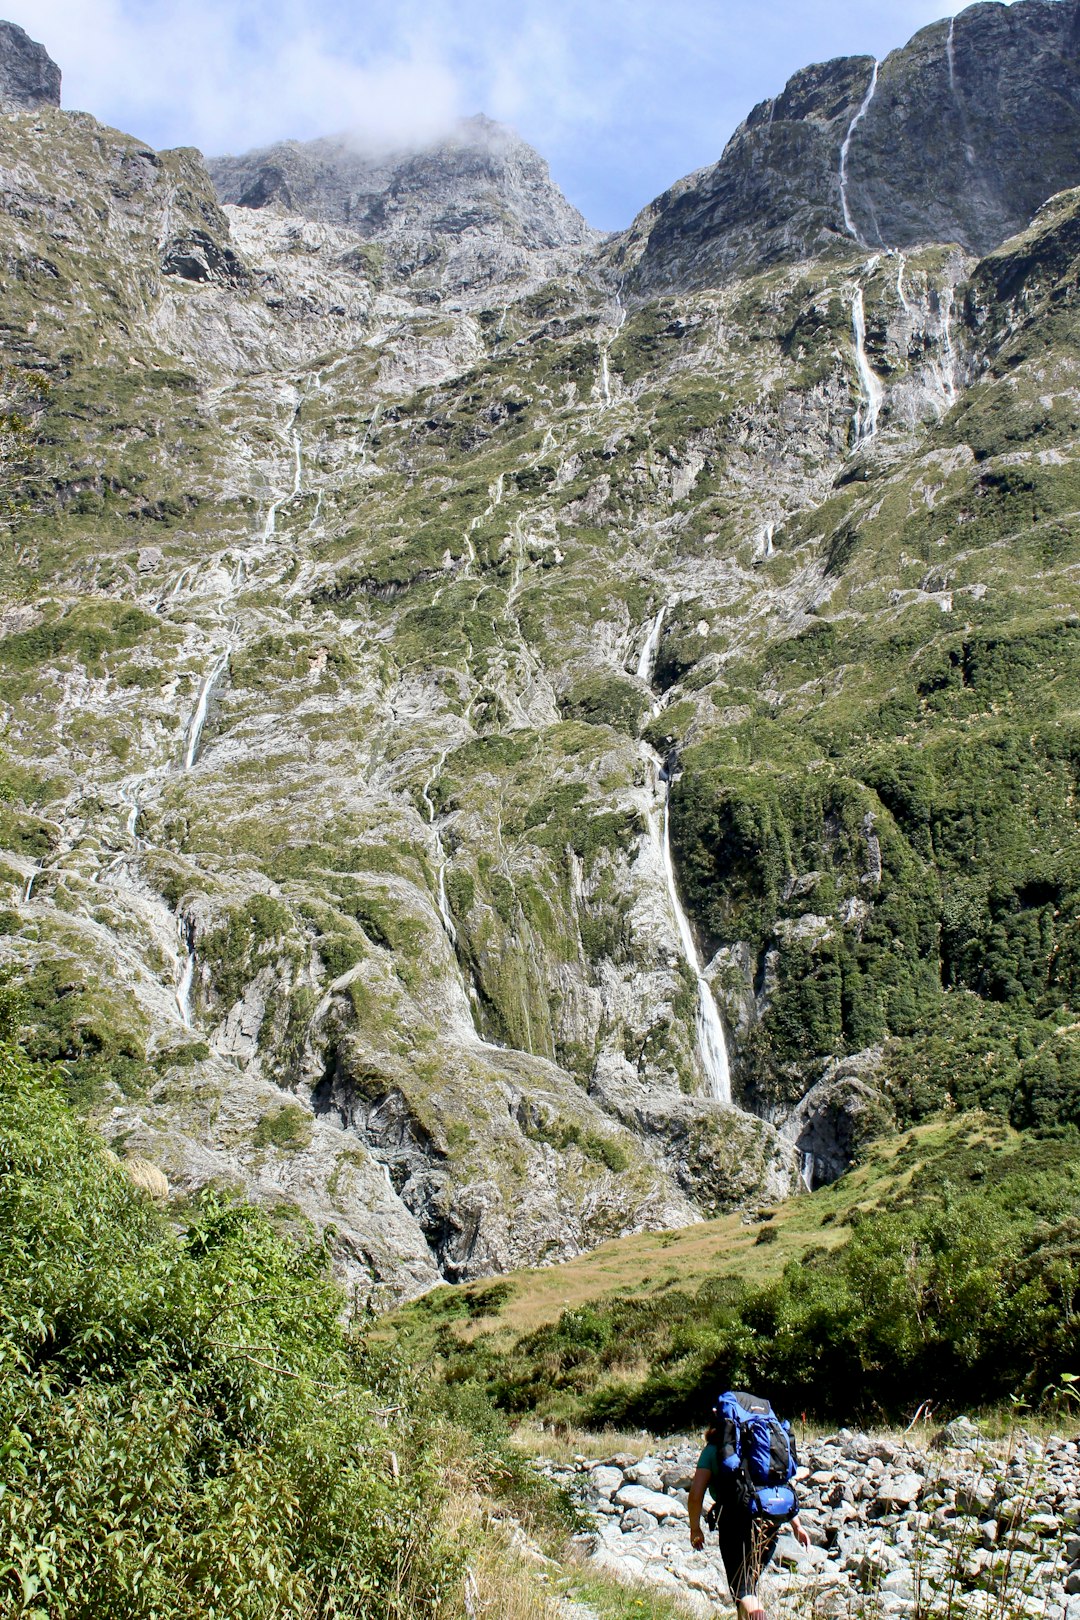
pixel 958 137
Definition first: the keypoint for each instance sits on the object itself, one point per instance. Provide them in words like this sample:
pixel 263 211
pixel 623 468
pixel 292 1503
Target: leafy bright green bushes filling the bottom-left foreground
pixel 189 1430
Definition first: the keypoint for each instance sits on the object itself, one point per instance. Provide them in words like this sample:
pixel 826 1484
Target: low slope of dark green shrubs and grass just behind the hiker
pixel 961 1287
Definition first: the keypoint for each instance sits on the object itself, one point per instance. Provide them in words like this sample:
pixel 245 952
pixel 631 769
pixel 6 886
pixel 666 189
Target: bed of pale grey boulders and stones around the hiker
pixel 966 1525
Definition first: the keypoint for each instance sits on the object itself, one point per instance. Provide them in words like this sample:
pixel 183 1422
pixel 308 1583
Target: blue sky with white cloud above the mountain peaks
pixel 621 96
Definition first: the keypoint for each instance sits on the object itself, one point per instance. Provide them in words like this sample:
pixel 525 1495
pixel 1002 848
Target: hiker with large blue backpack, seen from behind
pixel 747 1465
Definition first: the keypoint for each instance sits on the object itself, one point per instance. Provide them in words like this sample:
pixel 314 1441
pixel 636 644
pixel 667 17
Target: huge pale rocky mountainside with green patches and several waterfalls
pixel 490 762
